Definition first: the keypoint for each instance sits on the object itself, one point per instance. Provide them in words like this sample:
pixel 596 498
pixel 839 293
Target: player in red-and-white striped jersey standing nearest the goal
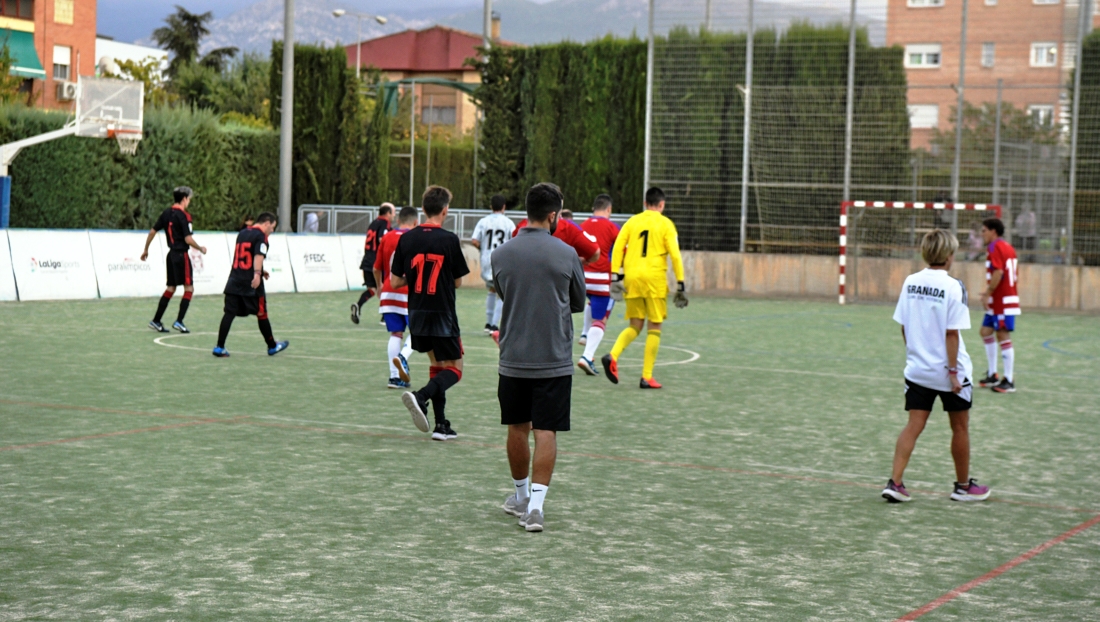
pixel 1003 305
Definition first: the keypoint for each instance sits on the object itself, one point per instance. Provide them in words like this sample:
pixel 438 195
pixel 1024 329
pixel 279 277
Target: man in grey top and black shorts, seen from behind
pixel 542 282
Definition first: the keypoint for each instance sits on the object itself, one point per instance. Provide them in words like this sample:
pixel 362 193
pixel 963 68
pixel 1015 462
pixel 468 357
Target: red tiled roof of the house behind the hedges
pixel 437 49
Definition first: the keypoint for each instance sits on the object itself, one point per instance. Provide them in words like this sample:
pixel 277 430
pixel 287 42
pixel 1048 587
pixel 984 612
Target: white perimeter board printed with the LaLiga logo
pixel 52 265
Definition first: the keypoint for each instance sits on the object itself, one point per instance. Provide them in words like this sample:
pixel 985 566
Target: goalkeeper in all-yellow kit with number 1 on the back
pixel 640 271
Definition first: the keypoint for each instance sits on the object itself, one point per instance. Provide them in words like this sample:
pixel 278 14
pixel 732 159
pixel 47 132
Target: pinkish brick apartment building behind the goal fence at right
pixel 1030 46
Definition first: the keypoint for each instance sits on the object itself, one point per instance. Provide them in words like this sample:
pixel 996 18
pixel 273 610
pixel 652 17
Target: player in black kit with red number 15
pixel 245 291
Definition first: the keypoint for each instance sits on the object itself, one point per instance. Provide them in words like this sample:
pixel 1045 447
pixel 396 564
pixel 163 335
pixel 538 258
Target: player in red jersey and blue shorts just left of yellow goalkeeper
pixel 598 280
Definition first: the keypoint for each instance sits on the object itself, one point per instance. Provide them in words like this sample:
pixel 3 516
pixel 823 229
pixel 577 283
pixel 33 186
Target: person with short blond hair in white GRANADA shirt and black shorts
pixel 932 312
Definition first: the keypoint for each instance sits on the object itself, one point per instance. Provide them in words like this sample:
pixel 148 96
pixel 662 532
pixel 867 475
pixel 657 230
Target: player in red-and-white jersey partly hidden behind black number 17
pixel 394 302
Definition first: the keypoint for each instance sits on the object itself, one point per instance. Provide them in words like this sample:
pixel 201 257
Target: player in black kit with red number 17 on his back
pixel 430 260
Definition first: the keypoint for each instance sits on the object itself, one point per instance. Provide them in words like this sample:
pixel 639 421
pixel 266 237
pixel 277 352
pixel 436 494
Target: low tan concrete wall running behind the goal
pixel 876 280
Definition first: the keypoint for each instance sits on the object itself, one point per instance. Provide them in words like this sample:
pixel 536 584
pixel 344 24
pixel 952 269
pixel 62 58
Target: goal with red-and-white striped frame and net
pixel 883 239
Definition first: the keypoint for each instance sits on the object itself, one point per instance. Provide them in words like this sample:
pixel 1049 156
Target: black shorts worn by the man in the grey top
pixel 544 402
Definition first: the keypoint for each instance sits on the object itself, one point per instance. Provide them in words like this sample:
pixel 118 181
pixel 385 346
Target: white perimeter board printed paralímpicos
pixel 119 268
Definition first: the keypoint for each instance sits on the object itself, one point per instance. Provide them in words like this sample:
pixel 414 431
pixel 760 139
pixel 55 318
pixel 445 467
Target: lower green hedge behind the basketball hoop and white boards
pixel 86 183
